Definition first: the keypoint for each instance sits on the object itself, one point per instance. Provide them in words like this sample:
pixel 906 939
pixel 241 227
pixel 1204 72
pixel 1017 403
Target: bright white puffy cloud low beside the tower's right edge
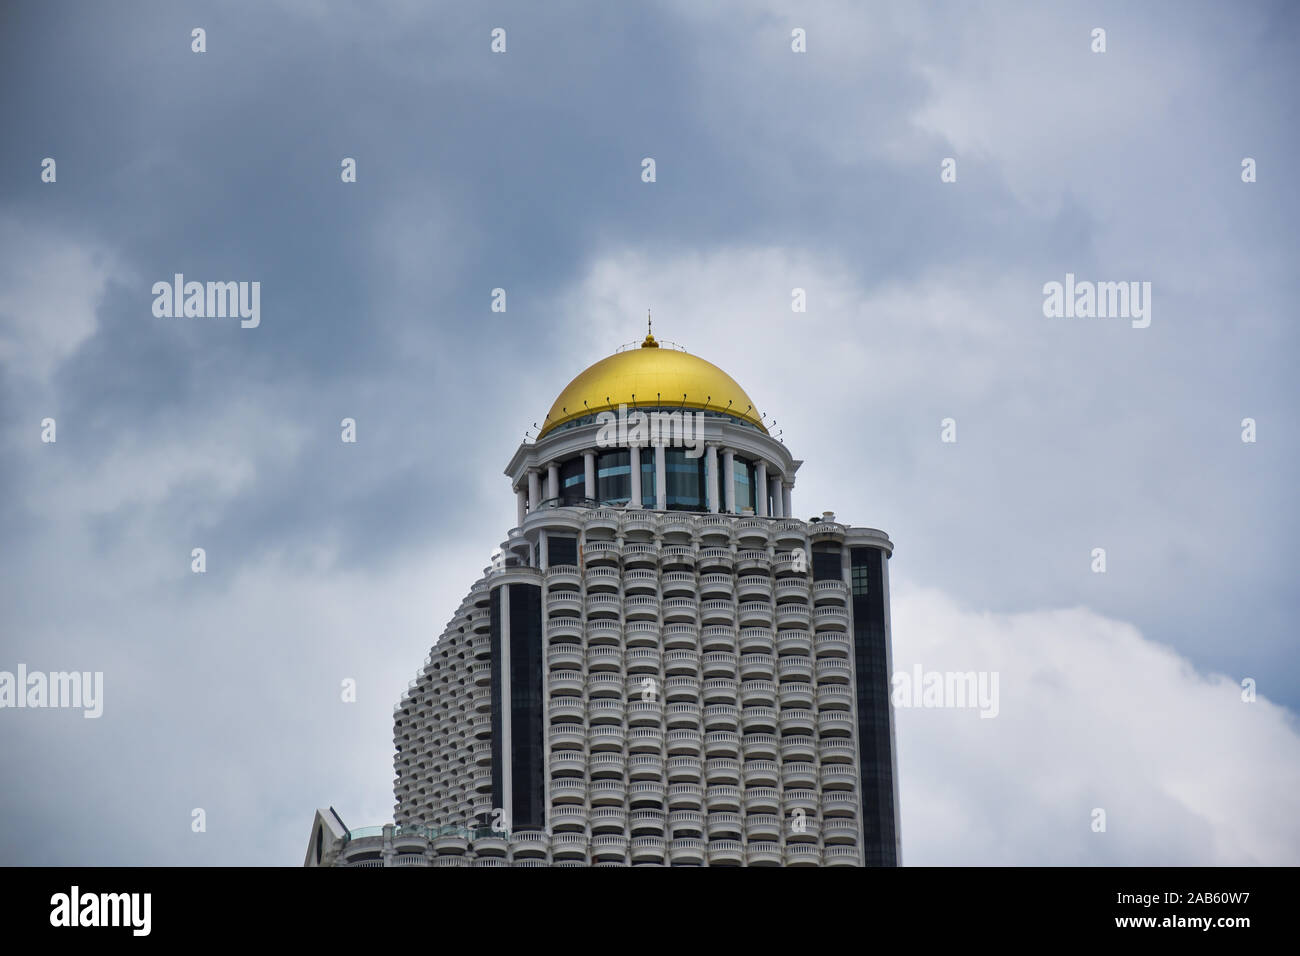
pixel 1093 716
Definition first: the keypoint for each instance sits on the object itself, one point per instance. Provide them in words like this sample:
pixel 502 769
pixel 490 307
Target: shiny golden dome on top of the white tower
pixel 652 378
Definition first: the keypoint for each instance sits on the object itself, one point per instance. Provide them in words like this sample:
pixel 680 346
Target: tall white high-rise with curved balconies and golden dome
pixel 662 667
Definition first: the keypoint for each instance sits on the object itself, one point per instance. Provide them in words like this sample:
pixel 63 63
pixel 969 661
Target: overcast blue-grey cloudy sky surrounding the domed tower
pixel 775 171
